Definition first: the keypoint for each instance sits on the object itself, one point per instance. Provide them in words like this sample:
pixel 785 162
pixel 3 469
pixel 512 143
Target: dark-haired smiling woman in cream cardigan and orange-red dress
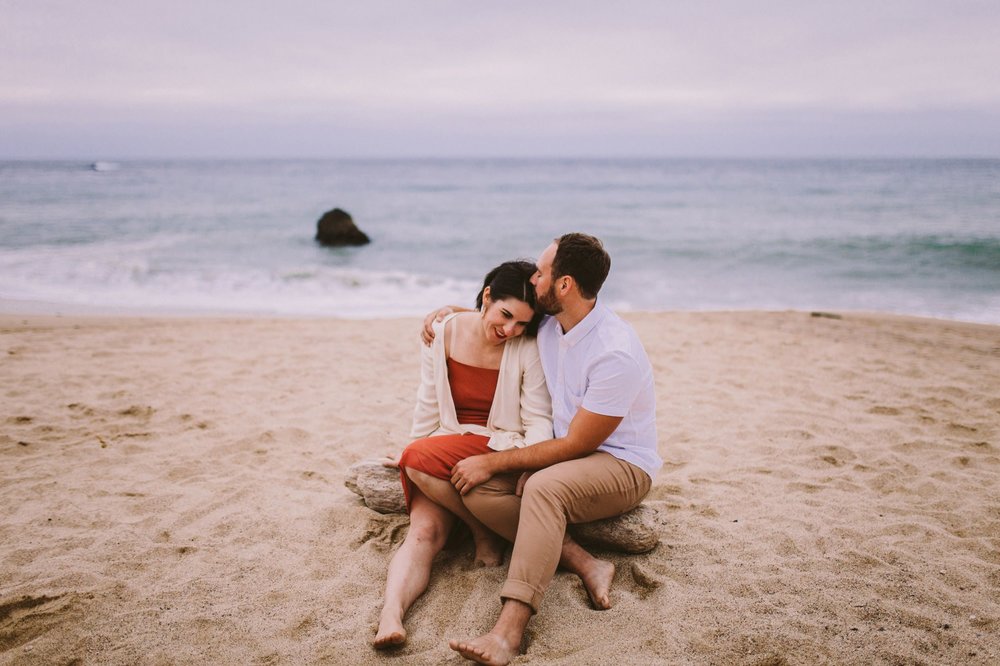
pixel 481 389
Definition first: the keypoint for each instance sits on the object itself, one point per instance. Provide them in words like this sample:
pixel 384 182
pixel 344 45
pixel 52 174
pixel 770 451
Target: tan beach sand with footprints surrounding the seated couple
pixel 172 492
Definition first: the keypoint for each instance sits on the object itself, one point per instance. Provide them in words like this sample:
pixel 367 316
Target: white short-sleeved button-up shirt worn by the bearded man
pixel 600 365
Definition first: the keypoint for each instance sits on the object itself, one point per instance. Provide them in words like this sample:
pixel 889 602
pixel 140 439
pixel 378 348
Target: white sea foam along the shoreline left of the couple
pixel 126 280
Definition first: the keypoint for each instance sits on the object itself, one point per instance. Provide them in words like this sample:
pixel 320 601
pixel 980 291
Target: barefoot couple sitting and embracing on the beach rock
pixel 538 357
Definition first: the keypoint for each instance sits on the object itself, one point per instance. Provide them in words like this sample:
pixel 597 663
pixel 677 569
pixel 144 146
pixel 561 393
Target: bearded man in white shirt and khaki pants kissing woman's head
pixel 601 462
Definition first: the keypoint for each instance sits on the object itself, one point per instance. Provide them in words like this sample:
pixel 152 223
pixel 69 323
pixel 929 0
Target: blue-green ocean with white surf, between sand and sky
pixel 918 236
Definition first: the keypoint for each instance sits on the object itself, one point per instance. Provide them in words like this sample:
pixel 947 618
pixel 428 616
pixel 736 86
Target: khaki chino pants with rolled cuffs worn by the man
pixel 575 491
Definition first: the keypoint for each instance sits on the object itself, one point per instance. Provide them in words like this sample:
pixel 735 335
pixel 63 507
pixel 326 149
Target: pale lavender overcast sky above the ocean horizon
pixel 325 78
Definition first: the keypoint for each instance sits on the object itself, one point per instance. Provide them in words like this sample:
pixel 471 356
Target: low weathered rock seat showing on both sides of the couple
pixel 631 532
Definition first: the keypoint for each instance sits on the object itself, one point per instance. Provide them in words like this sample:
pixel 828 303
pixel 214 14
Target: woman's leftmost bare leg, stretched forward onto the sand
pixel 410 568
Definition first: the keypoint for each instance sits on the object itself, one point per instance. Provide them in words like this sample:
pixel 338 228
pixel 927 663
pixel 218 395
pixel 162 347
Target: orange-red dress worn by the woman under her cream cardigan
pixel 472 389
